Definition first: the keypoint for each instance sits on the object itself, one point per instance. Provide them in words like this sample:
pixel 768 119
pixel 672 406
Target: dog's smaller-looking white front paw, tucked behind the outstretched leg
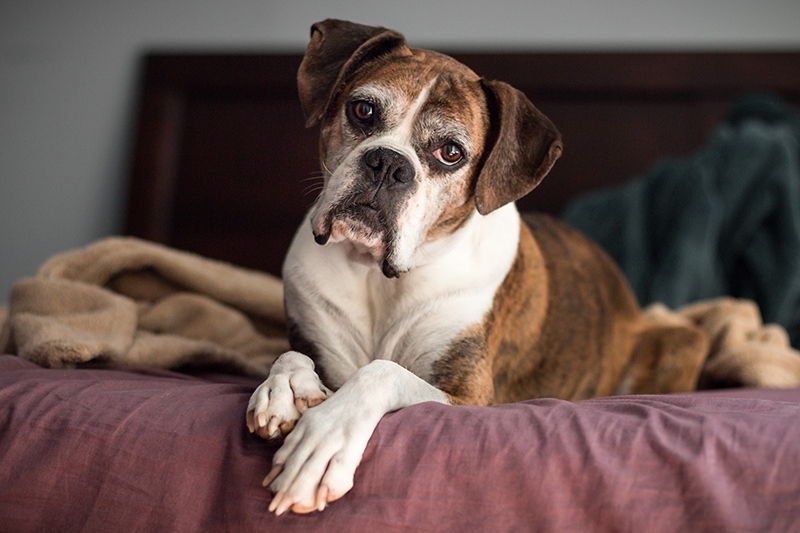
pixel 291 388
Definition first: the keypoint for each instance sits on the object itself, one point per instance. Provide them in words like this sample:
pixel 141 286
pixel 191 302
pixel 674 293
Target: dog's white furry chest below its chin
pixel 352 314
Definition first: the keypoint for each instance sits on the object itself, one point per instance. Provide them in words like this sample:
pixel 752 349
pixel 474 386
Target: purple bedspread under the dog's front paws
pixel 140 450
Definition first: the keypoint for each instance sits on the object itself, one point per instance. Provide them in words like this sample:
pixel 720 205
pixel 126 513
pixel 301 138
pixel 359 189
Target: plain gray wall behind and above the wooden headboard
pixel 67 74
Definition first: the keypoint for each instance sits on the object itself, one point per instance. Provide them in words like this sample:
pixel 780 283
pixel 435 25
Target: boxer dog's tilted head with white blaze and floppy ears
pixel 412 142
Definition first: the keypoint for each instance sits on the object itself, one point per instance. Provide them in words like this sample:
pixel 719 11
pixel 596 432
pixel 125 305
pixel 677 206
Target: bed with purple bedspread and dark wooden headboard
pixel 220 167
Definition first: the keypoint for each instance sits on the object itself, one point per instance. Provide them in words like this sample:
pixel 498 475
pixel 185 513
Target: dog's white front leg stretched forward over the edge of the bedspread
pixel 318 460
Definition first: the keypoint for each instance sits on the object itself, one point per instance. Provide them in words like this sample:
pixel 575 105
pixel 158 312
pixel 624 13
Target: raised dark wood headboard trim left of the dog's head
pixel 167 81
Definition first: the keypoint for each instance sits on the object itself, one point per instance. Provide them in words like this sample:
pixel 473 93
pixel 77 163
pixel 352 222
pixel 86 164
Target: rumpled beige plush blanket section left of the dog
pixel 124 301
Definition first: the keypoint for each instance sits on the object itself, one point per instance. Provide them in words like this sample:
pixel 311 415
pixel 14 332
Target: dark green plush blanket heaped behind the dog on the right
pixel 723 221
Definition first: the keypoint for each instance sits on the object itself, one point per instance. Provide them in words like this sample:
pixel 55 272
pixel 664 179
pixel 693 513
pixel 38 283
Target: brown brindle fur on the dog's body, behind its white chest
pixel 566 325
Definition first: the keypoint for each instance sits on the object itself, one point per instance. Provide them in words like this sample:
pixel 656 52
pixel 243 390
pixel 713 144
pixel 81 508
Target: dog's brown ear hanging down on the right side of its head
pixel 526 144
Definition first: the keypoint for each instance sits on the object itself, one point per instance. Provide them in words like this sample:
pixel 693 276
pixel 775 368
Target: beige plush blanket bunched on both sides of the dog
pixel 123 301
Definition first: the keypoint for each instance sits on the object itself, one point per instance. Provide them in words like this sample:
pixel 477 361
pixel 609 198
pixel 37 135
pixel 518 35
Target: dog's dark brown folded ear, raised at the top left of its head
pixel 337 49
